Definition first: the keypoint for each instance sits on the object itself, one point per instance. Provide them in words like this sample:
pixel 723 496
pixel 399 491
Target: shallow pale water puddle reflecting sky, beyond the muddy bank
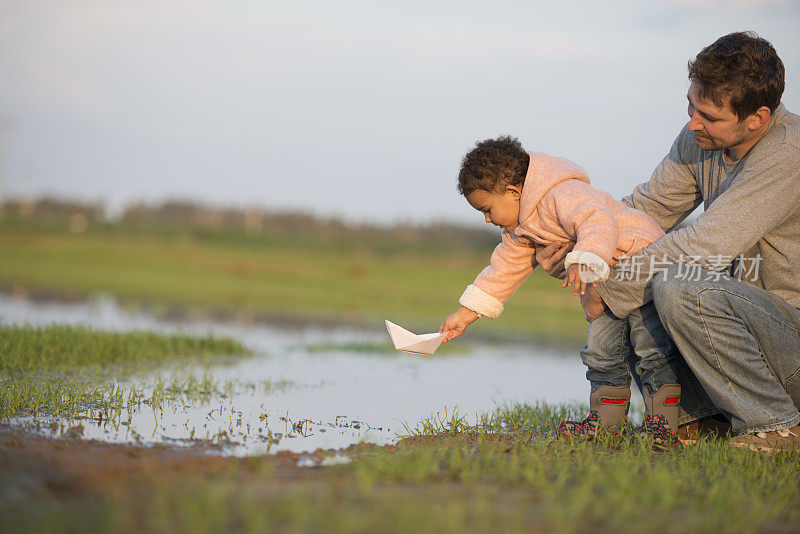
pixel 344 396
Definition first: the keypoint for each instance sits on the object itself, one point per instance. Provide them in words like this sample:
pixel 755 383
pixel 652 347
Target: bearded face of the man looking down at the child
pixel 715 127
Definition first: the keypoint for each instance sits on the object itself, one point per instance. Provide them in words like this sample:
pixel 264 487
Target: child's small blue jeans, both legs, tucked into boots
pixel 613 342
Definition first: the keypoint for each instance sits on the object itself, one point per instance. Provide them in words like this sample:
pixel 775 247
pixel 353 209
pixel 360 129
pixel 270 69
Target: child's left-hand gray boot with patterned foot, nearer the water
pixel 608 409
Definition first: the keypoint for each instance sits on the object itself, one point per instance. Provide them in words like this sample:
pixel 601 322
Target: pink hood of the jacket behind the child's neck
pixel 544 172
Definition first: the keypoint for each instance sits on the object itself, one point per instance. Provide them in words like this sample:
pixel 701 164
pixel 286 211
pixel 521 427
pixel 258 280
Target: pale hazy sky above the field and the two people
pixel 355 109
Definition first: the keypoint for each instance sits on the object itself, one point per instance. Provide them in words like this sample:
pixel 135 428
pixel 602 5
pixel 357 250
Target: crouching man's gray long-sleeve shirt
pixel 752 208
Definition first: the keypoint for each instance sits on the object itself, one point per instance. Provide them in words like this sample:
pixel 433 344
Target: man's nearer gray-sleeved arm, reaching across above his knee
pixel 765 192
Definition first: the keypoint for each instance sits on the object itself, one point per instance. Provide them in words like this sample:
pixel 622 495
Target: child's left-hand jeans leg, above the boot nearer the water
pixel 607 348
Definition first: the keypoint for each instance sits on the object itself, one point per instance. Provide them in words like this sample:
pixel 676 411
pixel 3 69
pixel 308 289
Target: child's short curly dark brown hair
pixel 492 165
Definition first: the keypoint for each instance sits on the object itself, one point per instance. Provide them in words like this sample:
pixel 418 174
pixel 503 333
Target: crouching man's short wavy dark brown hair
pixel 743 66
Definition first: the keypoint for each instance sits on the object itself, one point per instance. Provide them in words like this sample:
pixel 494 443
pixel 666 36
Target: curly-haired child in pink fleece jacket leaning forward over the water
pixel 541 199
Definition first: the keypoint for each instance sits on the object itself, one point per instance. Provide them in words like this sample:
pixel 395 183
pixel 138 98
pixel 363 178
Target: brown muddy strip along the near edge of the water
pixel 61 468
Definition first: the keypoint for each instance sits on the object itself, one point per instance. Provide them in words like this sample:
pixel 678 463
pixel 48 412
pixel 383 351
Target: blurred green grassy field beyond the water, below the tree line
pixel 341 279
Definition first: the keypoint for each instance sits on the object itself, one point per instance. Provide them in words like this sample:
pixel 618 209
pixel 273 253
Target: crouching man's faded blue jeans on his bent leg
pixel 741 343
